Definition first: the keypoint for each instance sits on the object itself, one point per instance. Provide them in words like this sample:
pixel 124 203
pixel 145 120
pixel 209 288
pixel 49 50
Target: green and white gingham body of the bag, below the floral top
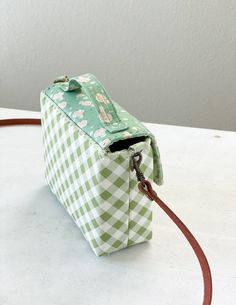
pixel 96 187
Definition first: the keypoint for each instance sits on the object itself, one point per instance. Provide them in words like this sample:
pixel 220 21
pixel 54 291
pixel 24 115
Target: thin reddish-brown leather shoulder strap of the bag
pixel 146 188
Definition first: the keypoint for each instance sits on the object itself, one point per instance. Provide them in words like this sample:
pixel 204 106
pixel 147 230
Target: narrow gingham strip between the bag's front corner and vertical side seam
pixel 114 191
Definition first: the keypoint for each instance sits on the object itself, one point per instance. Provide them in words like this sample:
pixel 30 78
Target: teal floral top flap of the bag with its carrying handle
pixel 86 103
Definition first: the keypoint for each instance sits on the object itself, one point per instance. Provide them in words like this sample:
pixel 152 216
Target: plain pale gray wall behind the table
pixel 171 62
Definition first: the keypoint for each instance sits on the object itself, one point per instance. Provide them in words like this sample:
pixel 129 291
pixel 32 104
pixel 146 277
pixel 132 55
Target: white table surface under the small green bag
pixel 44 259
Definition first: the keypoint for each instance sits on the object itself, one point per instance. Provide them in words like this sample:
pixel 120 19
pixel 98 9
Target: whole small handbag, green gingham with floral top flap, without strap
pixel 89 141
